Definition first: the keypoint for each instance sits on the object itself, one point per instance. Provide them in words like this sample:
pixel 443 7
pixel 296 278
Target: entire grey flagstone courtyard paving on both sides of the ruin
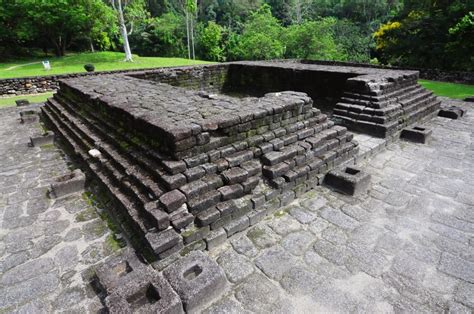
pixel 407 246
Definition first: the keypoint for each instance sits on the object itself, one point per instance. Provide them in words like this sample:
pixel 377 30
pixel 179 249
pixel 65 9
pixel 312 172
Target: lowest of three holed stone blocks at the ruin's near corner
pixel 151 294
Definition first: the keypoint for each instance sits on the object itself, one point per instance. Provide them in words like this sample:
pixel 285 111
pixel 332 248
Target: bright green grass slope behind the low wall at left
pixel 74 63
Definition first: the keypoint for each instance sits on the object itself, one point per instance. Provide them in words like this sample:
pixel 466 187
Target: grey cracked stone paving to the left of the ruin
pixel 42 241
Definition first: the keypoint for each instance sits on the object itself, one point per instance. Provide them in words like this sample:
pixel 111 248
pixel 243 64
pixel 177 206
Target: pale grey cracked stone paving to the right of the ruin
pixel 406 246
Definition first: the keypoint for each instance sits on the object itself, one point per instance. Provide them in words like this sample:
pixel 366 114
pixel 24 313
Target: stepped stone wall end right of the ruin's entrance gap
pixel 384 109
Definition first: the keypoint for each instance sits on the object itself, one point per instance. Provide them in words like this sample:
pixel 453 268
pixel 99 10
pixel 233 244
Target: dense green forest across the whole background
pixel 421 33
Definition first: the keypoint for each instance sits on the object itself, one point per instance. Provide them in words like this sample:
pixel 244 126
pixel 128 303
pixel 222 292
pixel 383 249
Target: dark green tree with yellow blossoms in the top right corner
pixel 424 35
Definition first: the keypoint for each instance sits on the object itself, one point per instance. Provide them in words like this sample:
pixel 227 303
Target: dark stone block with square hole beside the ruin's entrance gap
pixel 351 180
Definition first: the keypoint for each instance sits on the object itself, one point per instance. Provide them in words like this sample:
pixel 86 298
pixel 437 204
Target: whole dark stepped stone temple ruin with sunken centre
pixel 193 155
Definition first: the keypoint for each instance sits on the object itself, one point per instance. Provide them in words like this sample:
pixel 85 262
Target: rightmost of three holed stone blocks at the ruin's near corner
pixel 197 279
